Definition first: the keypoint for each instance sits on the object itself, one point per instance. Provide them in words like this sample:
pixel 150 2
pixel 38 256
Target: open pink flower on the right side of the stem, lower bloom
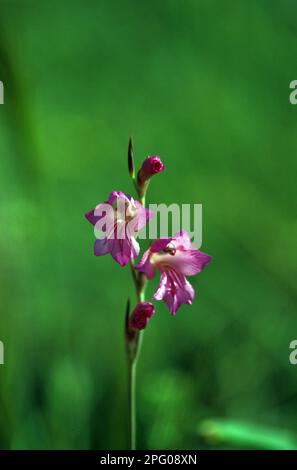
pixel 175 258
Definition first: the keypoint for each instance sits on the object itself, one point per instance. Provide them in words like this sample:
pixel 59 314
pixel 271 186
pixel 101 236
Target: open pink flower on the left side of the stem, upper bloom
pixel 117 222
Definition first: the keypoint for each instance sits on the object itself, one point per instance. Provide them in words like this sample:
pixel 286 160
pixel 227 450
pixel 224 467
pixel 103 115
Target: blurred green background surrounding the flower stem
pixel 204 84
